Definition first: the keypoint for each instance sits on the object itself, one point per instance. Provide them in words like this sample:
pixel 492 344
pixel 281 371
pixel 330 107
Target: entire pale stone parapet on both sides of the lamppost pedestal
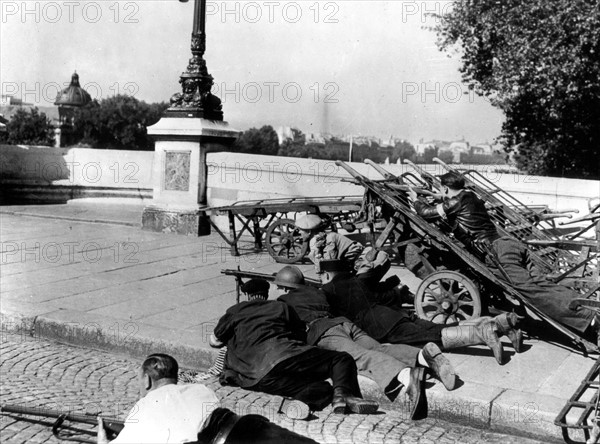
pixel 49 174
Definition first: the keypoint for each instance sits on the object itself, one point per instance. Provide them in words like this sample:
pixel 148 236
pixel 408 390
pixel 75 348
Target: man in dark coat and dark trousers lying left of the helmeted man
pixel 267 352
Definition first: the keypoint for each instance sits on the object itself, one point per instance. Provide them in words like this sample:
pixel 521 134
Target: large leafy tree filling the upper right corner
pixel 538 61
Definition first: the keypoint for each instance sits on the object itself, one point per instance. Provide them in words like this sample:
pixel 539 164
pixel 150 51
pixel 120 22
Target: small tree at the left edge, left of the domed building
pixel 28 128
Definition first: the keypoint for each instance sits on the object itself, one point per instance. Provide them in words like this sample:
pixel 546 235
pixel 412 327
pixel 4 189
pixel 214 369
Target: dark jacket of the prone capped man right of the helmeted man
pixel 355 299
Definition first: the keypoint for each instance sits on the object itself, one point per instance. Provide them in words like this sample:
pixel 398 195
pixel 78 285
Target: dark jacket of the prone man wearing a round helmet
pixel 312 307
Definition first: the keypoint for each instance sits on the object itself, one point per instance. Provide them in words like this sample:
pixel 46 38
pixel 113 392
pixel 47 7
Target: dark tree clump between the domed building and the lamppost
pixel 117 122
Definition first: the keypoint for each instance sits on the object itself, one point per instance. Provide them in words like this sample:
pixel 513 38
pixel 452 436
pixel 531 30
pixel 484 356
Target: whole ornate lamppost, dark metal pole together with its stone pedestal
pixel 191 128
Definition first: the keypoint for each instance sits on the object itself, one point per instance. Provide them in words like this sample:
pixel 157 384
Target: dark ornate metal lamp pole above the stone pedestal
pixel 196 100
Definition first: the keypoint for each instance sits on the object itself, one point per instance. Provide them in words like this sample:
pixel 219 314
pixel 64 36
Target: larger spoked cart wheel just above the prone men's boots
pixel 447 296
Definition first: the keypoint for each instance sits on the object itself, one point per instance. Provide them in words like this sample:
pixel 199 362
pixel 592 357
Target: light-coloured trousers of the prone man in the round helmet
pixel 381 362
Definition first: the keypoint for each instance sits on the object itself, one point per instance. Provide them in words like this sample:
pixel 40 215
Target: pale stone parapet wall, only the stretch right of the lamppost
pixel 233 177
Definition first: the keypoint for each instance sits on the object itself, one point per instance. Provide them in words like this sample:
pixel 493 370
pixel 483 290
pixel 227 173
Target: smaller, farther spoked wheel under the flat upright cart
pixel 284 242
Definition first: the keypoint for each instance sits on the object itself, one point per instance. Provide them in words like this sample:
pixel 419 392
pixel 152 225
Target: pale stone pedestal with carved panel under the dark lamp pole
pixel 180 173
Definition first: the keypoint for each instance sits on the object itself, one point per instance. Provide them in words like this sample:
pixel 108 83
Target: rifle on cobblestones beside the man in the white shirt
pixel 112 426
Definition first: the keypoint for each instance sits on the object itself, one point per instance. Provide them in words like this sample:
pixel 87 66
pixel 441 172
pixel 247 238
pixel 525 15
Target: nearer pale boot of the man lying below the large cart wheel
pixel 481 334
